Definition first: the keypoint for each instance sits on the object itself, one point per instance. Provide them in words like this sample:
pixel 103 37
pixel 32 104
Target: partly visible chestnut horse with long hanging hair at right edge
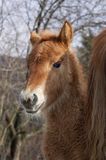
pixel 96 110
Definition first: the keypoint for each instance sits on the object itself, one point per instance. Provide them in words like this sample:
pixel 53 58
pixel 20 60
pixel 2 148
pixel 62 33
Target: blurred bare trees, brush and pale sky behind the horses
pixel 20 136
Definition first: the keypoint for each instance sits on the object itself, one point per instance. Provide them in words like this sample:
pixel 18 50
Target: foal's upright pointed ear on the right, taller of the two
pixel 66 33
